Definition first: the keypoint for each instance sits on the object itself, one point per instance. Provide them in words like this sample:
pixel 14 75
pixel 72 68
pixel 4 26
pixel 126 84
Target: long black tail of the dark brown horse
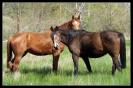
pixel 122 51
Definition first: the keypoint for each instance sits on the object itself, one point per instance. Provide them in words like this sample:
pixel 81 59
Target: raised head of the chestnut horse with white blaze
pixel 76 22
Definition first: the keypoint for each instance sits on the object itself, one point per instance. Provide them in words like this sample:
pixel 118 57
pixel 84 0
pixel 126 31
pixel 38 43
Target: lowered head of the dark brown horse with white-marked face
pixel 56 38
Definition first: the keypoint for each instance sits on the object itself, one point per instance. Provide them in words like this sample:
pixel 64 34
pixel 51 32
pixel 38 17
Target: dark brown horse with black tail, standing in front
pixel 86 44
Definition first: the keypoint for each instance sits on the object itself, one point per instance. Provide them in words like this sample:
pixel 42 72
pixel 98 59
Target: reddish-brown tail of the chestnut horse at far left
pixel 9 53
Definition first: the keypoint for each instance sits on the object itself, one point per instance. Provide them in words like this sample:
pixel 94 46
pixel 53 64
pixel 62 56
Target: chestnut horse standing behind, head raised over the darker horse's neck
pixel 36 43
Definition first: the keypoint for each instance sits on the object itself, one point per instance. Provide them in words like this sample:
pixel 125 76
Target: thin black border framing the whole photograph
pixel 69 1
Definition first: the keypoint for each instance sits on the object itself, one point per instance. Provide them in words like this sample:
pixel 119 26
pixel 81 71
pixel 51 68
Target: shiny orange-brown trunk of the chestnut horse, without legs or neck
pixel 38 43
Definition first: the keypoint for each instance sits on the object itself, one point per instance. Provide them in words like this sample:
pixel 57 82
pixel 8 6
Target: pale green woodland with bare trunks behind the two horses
pixel 37 17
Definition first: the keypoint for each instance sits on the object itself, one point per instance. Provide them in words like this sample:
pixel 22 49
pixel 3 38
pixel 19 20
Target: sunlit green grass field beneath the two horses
pixel 37 70
